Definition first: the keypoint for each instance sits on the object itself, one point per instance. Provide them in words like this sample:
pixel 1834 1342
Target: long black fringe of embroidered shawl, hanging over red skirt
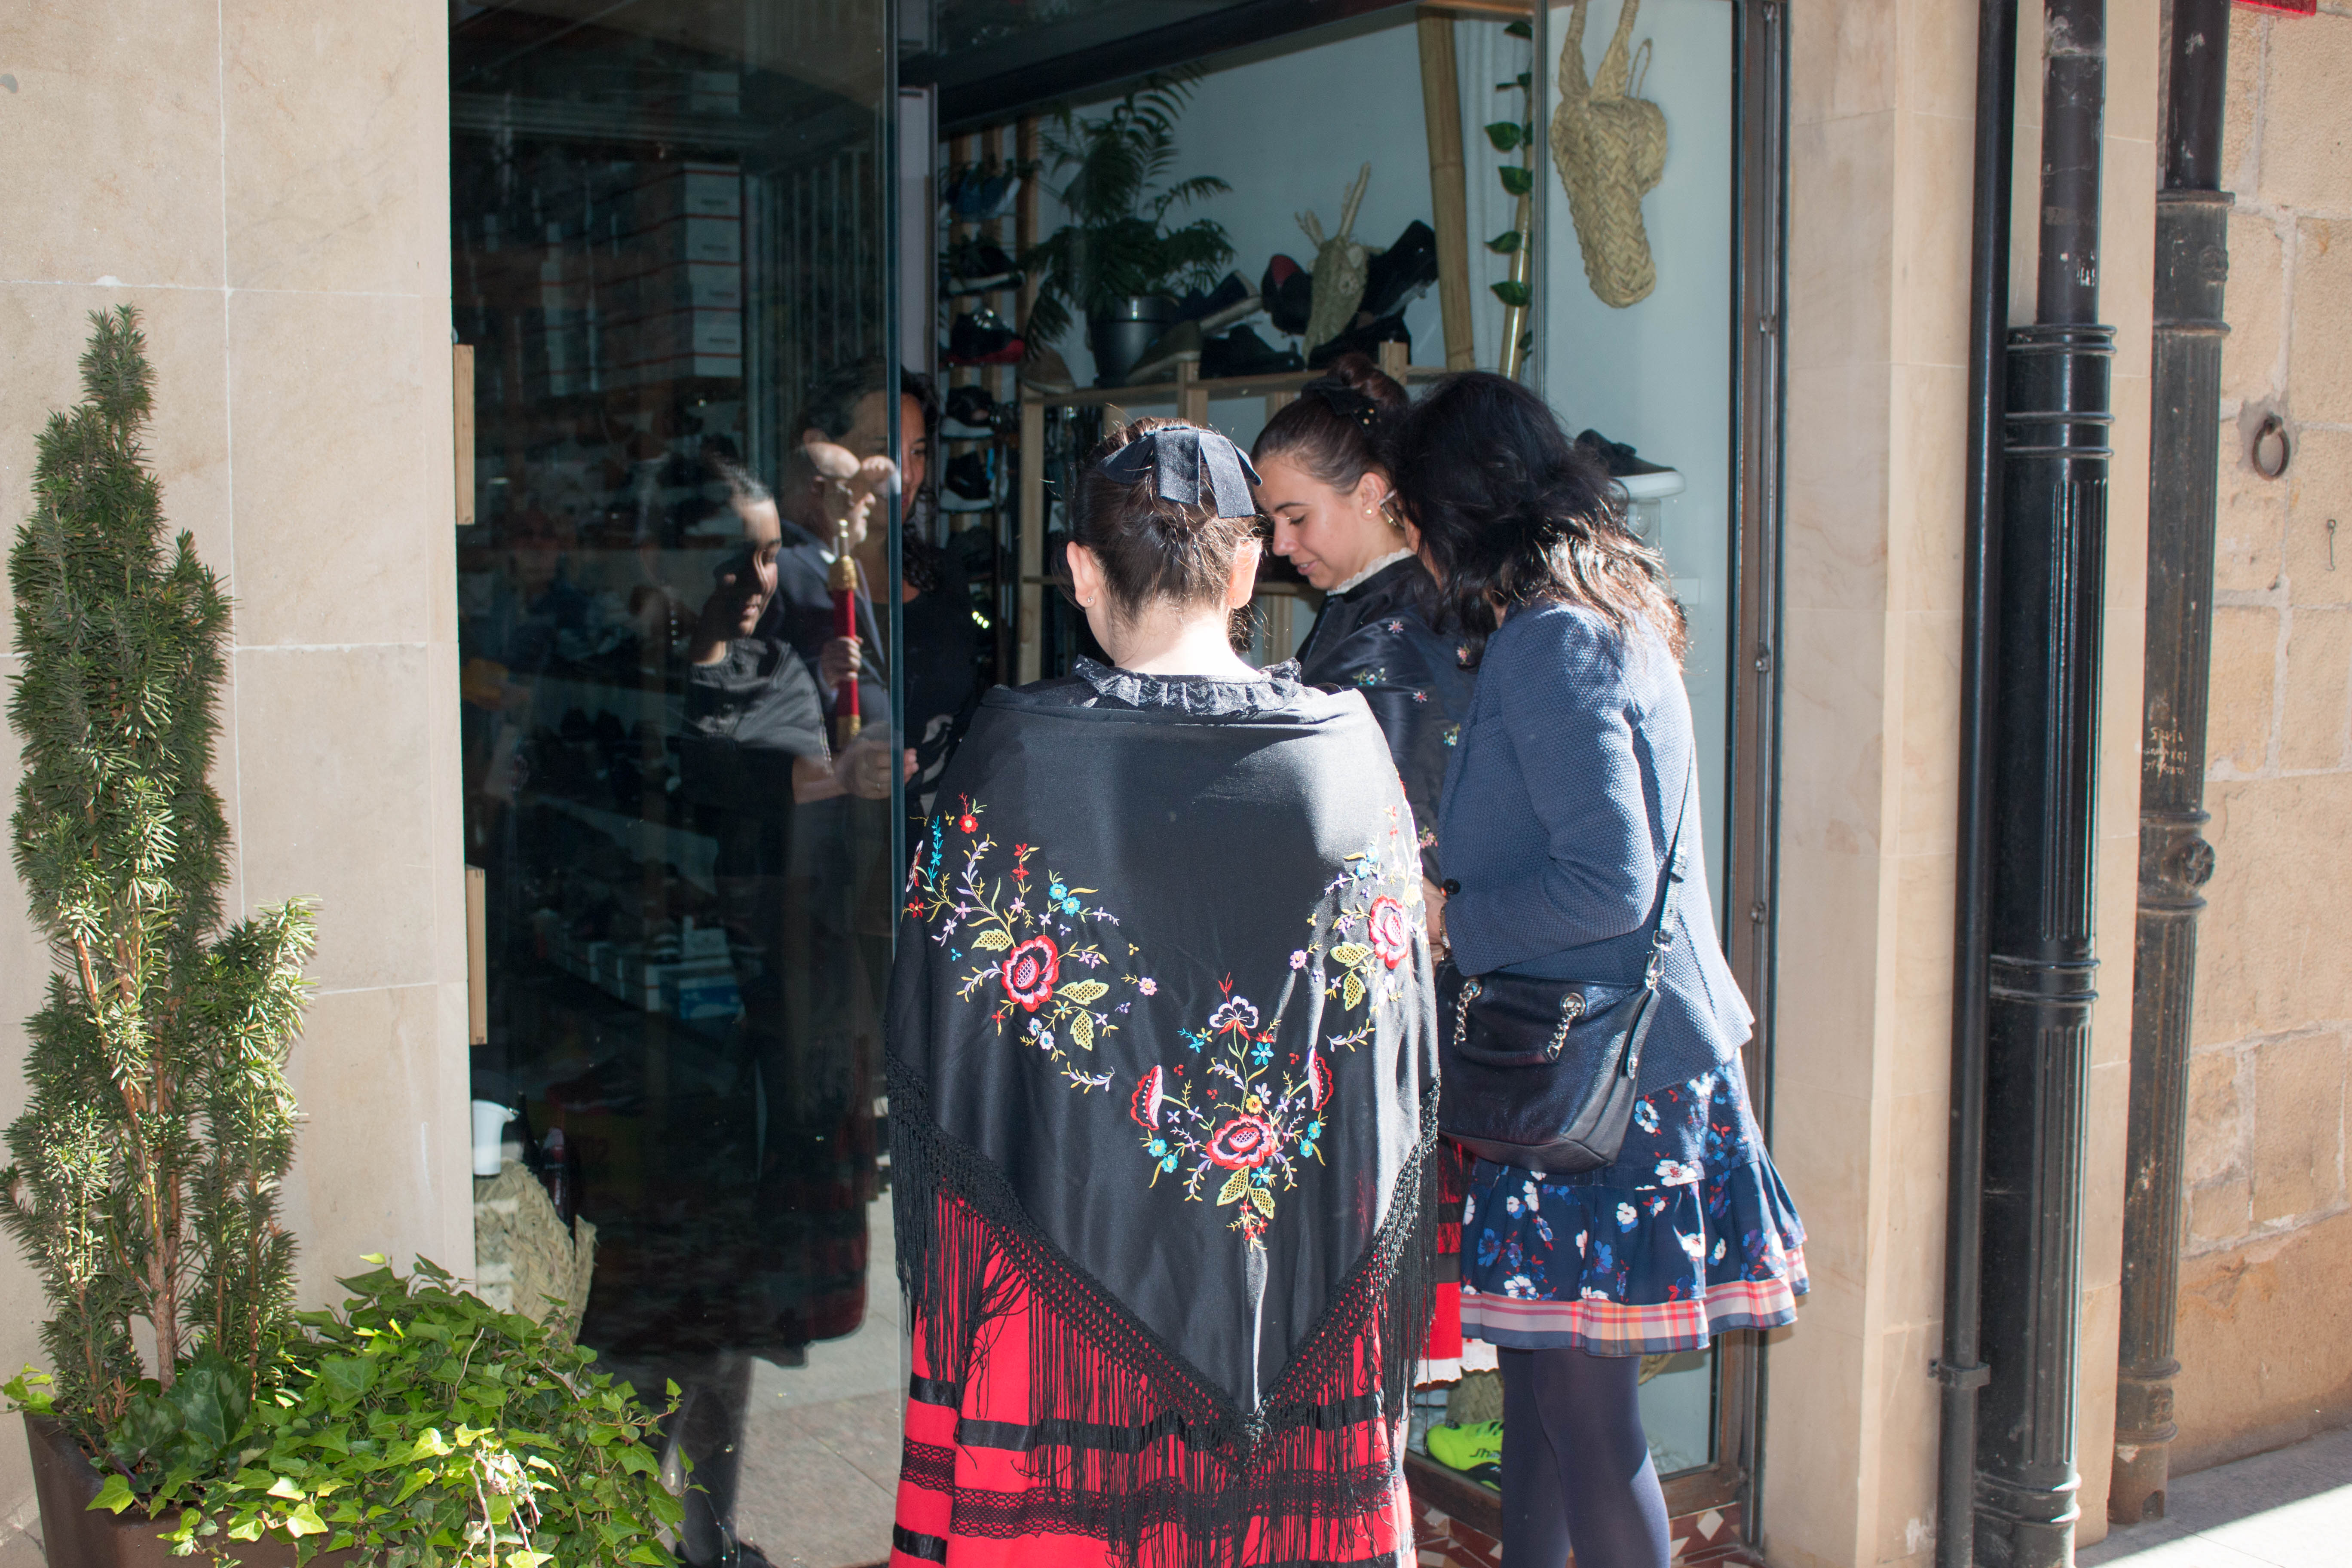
pixel 1161 1445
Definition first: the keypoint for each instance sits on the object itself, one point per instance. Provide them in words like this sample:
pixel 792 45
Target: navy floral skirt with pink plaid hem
pixel 1690 1233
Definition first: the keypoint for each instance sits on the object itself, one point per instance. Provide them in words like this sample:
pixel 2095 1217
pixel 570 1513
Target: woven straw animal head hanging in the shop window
pixel 1610 149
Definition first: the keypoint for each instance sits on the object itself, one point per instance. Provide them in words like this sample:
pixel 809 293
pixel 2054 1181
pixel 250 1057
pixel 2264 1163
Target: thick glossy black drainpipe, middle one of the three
pixel 2045 770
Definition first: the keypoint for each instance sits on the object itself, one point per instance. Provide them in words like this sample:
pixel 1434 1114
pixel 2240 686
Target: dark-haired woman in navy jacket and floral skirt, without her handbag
pixel 1561 805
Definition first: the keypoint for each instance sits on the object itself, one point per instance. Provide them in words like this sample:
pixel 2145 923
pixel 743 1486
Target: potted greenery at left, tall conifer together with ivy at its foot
pixel 420 1426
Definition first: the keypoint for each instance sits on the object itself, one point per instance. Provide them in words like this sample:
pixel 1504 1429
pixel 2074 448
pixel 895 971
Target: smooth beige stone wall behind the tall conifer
pixel 269 187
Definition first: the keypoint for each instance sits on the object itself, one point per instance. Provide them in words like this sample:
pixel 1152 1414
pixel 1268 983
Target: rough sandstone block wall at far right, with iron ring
pixel 2266 1322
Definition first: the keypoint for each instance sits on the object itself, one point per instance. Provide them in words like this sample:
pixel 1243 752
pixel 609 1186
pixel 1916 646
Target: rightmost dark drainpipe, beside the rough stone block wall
pixel 2193 262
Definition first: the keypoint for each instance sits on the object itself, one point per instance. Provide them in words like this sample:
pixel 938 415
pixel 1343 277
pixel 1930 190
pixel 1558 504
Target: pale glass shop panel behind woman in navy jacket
pixel 1655 314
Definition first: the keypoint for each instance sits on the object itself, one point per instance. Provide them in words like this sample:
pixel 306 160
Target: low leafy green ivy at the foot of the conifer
pixel 425 1428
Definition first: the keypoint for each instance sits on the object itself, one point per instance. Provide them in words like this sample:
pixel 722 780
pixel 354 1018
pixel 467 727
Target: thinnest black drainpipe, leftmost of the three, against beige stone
pixel 1989 321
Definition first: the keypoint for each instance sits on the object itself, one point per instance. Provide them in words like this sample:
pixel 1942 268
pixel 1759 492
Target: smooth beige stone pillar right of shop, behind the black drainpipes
pixel 1880 177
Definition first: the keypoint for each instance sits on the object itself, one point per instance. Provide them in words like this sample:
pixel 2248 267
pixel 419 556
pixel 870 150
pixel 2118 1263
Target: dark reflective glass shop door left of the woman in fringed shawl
pixel 671 264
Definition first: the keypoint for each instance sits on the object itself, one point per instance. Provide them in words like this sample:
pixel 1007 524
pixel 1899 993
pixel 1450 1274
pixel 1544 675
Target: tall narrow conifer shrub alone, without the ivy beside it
pixel 159 1123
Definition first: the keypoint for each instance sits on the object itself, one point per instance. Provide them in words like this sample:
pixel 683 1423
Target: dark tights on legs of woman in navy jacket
pixel 1577 1466
